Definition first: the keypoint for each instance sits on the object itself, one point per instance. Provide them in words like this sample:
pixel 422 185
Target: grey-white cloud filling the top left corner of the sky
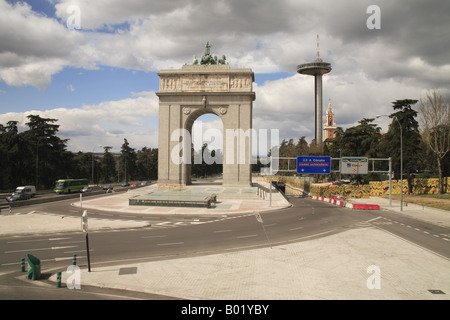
pixel 33 47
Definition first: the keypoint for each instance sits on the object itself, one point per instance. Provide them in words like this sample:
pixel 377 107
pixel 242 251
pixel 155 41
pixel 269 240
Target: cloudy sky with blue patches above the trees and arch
pixel 99 80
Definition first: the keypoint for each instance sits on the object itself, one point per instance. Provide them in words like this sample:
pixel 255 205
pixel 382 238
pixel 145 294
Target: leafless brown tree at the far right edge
pixel 435 121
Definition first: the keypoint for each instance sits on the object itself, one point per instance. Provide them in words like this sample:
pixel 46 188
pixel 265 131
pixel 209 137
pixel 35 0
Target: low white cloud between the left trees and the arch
pixel 105 124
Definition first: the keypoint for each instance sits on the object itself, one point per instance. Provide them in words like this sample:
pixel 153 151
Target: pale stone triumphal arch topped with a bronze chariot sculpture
pixel 206 86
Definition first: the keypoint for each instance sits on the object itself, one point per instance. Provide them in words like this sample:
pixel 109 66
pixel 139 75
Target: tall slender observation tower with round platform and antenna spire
pixel 316 68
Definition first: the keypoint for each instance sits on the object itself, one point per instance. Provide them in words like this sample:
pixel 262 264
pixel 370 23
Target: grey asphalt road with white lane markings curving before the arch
pixel 307 219
